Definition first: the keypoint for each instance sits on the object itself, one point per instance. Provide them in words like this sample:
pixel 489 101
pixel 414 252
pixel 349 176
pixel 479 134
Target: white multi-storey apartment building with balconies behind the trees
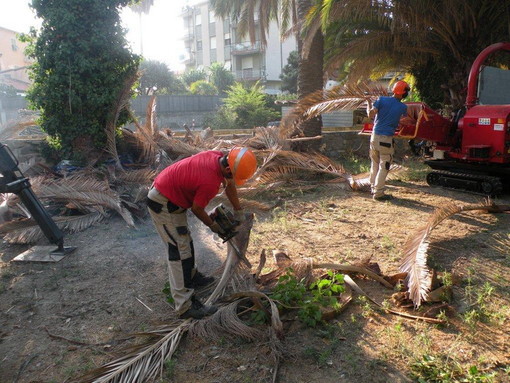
pixel 209 39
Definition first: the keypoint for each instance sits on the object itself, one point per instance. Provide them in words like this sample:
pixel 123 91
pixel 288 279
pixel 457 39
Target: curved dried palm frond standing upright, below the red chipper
pixel 415 251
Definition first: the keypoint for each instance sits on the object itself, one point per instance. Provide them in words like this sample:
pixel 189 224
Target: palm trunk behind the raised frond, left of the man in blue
pixel 310 76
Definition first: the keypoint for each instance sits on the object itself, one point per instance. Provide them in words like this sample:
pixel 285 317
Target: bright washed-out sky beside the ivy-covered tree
pixel 162 28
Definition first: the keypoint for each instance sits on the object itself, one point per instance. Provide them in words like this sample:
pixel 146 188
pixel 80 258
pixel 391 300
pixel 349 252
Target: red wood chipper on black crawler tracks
pixel 470 150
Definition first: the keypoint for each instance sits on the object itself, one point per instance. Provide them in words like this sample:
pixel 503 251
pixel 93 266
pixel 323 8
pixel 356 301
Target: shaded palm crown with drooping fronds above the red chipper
pixel 436 41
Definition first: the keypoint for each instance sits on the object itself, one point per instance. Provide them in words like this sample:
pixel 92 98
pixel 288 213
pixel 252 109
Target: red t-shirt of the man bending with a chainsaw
pixel 194 179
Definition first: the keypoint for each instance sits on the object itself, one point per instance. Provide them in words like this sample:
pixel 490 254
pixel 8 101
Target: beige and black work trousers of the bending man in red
pixel 173 230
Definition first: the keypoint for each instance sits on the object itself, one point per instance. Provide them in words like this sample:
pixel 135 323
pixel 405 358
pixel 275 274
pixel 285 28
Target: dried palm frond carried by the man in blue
pixel 349 96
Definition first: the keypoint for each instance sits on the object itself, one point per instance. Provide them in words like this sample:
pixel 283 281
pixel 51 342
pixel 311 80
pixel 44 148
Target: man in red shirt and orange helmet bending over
pixel 190 184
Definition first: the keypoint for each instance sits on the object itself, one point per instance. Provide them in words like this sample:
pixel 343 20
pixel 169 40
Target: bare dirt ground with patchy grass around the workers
pixel 63 319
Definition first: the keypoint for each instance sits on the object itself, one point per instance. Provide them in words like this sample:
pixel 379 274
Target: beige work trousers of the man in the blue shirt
pixel 381 155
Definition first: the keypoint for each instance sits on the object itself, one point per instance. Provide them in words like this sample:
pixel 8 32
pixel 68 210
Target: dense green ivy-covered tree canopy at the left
pixel 82 65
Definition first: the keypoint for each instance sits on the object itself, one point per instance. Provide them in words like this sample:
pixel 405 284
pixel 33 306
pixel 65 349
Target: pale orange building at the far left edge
pixel 13 62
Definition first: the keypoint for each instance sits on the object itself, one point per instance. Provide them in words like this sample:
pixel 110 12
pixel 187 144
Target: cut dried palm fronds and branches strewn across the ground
pixel 86 196
